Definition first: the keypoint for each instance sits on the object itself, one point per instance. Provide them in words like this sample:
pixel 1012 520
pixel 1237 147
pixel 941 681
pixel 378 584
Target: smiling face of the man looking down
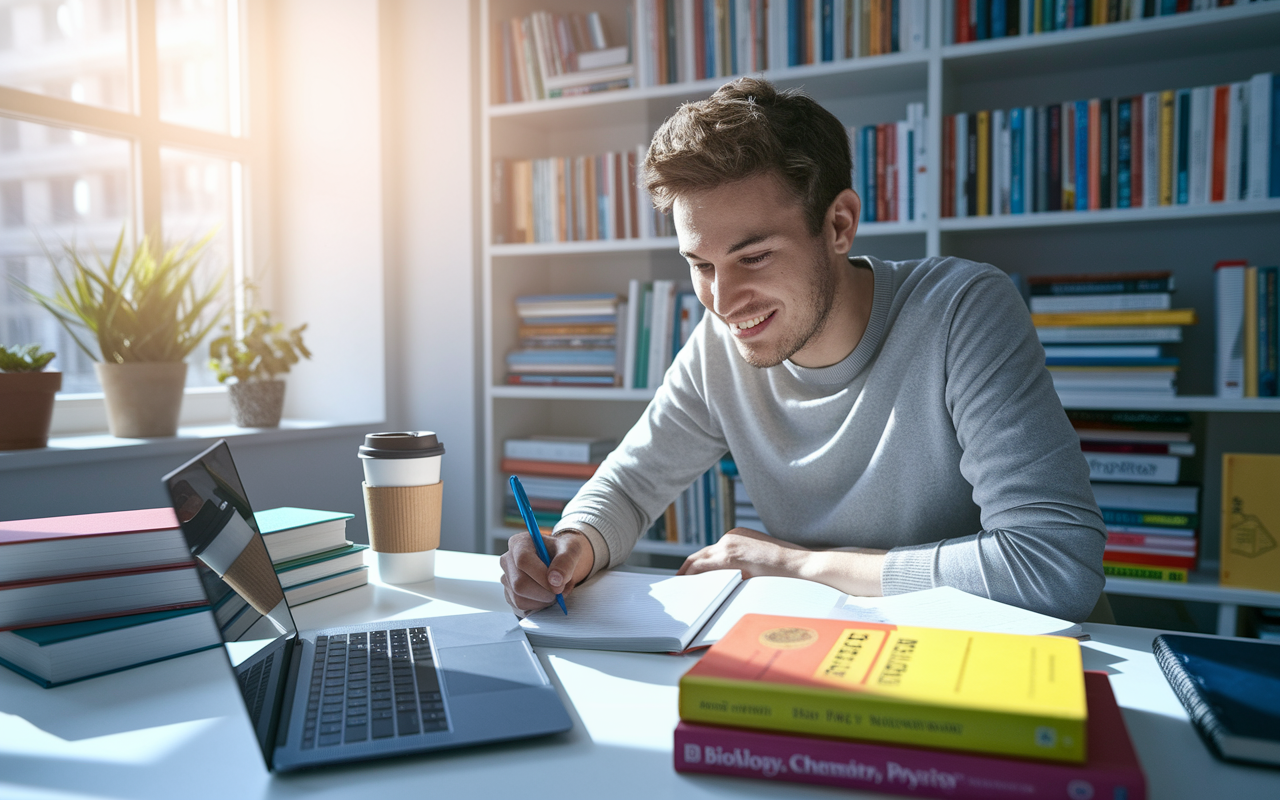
pixel 757 267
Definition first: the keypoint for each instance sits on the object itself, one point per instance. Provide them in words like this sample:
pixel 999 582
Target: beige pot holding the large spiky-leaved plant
pixel 144 399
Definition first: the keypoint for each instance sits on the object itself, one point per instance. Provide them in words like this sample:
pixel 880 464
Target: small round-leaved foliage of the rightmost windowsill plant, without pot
pixel 267 349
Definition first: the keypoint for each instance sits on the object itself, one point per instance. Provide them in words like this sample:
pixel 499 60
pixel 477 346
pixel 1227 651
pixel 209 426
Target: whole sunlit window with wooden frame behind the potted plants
pixel 117 115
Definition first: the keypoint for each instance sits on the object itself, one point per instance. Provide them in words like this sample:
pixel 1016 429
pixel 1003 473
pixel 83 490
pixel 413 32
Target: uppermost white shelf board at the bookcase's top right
pixel 1222 30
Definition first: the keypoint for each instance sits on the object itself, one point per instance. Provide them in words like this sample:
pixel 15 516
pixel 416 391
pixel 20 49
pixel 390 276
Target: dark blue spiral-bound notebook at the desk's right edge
pixel 1231 689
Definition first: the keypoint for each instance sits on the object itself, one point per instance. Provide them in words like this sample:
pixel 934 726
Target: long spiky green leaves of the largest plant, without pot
pixel 139 308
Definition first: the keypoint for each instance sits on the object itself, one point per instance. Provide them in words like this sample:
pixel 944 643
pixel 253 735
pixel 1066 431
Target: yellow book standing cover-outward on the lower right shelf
pixel 1251 522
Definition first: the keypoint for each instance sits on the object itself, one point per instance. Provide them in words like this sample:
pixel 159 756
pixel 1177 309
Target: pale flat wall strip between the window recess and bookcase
pixel 431 245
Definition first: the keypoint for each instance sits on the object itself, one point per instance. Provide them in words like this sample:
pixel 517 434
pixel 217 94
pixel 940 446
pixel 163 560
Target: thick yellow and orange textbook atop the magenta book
pixel 931 688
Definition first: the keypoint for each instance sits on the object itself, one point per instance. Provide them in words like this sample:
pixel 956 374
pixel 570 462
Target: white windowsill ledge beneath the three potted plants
pixel 90 449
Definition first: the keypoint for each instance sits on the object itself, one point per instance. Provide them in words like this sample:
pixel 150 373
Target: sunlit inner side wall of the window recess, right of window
pixel 327 232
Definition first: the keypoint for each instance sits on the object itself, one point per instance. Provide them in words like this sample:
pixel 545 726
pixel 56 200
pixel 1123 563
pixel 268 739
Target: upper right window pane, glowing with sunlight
pixel 196 42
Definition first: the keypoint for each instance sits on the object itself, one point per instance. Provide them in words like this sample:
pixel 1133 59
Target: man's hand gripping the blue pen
pixel 529 584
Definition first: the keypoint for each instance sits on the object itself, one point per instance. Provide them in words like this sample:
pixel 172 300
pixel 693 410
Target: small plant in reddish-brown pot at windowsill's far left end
pixel 26 397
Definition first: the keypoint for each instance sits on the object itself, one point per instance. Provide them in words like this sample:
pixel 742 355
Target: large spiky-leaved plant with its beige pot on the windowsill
pixel 147 316
